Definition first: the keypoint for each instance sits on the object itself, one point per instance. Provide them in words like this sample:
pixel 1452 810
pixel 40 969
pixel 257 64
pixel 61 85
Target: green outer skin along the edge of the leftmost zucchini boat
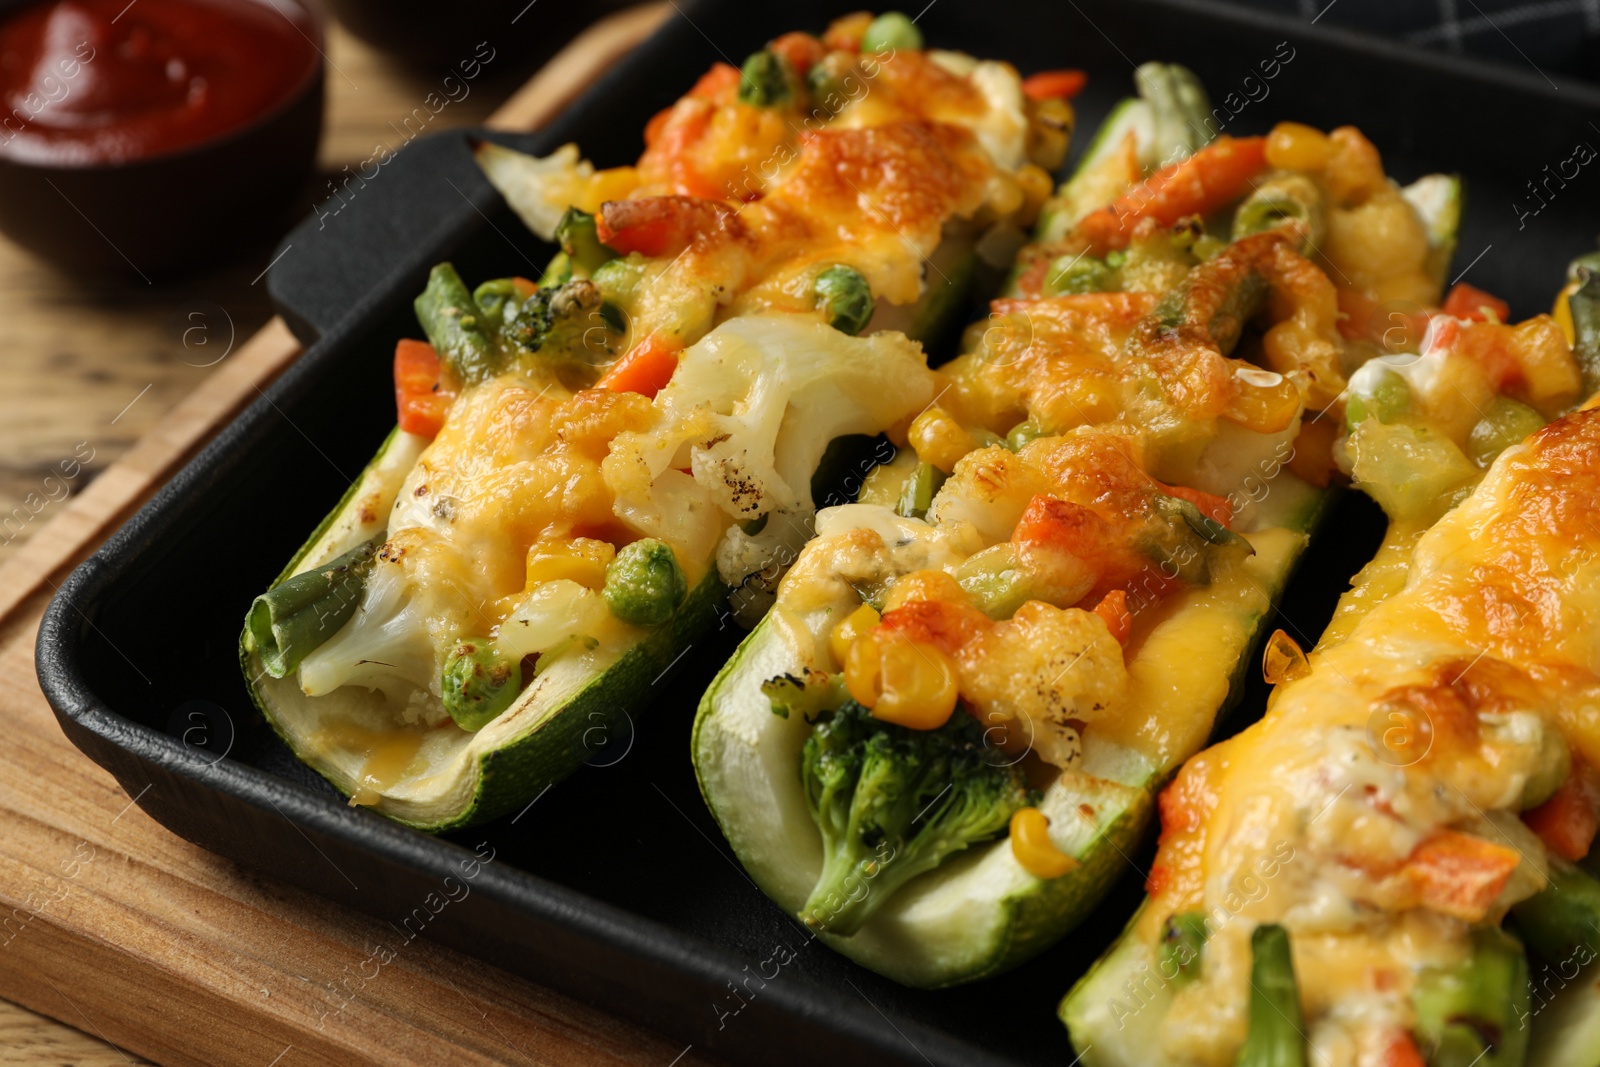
pixel 514 773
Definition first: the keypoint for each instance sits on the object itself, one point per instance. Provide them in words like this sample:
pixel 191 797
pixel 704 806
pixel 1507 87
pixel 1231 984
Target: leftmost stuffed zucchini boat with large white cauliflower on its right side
pixel 585 463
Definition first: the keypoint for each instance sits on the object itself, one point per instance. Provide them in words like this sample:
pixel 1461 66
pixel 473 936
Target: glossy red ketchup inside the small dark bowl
pixel 106 81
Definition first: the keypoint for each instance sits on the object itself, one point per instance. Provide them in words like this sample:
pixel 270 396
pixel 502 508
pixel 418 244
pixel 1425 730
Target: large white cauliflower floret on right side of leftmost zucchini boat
pixel 750 414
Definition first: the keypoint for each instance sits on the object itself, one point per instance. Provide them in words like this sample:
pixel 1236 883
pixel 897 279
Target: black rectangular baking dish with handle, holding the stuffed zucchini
pixel 615 885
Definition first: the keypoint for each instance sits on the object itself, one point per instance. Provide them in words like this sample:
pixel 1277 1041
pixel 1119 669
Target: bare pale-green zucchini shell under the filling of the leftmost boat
pixel 473 777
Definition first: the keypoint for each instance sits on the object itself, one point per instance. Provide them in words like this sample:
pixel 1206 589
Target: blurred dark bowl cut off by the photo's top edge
pixel 426 34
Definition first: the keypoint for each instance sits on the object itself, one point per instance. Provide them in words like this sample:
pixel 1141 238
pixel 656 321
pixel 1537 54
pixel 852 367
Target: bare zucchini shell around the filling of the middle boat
pixel 982 913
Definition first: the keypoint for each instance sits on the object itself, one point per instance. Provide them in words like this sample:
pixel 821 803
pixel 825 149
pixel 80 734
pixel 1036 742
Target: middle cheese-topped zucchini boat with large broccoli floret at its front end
pixel 938 746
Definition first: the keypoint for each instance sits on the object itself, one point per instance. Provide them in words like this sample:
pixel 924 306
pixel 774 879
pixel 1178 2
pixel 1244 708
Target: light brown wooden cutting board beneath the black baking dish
pixel 129 933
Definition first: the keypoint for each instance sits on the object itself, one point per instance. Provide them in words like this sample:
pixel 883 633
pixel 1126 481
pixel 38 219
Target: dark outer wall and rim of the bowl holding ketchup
pixel 177 210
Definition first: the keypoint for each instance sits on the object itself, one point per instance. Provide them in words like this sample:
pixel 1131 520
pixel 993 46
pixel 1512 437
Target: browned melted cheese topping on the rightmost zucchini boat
pixel 1426 721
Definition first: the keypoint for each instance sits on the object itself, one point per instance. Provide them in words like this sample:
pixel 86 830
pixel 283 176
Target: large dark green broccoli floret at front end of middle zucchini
pixel 894 804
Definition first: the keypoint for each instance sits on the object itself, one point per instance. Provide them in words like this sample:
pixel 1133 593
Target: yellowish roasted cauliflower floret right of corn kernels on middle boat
pixel 1046 673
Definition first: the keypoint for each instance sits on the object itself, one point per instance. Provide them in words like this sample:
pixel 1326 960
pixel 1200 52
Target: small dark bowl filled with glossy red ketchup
pixel 150 137
